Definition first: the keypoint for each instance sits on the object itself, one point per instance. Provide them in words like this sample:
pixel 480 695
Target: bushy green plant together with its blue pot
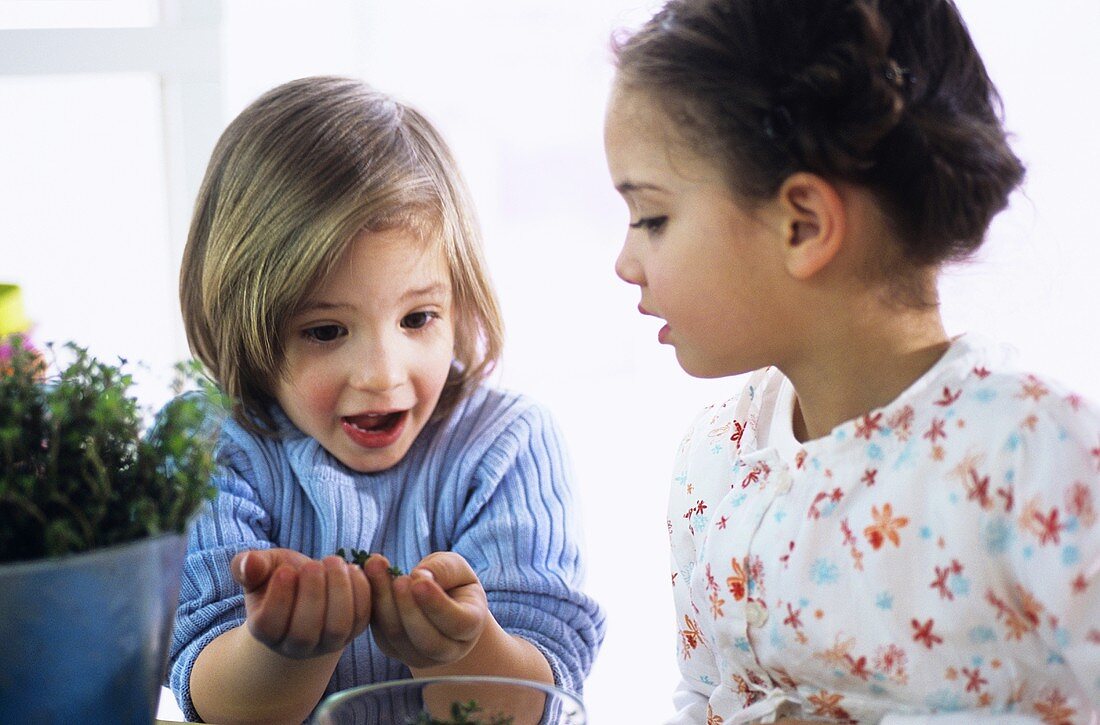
pixel 94 512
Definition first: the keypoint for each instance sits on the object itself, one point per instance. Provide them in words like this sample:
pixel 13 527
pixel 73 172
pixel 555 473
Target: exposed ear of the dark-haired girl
pixel 816 224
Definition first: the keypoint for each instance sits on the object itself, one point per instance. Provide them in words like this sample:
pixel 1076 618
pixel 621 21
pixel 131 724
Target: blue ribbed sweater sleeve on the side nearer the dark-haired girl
pixel 521 533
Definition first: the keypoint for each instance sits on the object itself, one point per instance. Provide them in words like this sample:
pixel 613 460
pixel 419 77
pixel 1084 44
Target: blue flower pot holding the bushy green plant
pixel 84 639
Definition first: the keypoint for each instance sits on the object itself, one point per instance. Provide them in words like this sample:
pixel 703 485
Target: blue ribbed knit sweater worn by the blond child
pixel 491 482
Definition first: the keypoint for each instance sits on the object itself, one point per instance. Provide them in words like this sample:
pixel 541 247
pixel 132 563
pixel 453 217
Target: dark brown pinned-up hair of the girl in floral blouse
pixel 890 95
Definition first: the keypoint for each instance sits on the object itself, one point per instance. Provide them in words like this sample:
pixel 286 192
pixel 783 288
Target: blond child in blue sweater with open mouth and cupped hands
pixel 334 287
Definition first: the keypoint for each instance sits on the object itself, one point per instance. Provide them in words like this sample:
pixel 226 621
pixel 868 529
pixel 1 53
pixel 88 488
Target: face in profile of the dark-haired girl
pixel 705 263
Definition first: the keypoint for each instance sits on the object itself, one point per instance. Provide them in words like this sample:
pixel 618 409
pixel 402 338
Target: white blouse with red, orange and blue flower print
pixel 938 559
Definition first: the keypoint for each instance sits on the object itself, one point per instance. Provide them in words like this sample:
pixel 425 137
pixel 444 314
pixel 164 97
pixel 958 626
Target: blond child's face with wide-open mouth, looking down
pixel 368 358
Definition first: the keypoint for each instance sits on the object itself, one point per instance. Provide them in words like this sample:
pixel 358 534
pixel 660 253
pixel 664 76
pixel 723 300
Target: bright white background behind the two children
pixel 519 89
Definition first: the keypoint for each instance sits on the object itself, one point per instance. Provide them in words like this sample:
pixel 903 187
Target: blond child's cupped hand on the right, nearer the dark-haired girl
pixel 432 617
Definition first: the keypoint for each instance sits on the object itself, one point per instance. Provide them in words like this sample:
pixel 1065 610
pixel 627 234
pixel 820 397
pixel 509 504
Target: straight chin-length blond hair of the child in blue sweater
pixel 293 180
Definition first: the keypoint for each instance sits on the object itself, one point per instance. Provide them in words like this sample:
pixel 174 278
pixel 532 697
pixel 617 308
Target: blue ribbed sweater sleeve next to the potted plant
pixel 211 601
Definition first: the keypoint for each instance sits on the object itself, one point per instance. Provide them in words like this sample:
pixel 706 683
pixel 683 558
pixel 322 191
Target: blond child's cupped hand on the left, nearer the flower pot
pixel 302 608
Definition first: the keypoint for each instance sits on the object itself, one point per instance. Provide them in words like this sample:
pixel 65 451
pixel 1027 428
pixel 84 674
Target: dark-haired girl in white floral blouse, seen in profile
pixel 888 524
